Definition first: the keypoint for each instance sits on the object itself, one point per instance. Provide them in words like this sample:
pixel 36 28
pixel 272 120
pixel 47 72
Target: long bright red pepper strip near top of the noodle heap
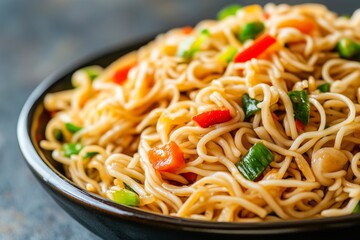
pixel 258 47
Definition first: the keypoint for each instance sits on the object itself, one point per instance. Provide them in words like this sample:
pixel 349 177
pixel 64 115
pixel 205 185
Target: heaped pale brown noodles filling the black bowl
pixel 104 129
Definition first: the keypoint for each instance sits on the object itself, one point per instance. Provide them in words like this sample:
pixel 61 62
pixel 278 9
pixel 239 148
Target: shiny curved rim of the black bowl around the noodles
pixel 58 182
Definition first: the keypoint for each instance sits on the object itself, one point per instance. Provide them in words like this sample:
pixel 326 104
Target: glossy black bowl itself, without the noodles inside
pixel 112 221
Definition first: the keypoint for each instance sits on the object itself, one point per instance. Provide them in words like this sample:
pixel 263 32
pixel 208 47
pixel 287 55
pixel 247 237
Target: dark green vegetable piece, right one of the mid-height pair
pixel 301 105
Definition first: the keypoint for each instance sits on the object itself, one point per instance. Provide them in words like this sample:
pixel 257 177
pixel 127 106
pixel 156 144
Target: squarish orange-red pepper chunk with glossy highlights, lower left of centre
pixel 167 158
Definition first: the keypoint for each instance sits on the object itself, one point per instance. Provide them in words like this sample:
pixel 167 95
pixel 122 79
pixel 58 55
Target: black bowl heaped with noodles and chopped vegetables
pixel 244 125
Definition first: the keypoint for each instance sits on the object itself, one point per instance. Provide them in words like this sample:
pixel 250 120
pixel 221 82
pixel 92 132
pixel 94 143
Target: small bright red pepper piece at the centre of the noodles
pixel 209 118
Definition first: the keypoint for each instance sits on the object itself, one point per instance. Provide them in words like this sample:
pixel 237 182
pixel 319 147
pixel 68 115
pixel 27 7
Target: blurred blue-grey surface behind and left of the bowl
pixel 38 37
